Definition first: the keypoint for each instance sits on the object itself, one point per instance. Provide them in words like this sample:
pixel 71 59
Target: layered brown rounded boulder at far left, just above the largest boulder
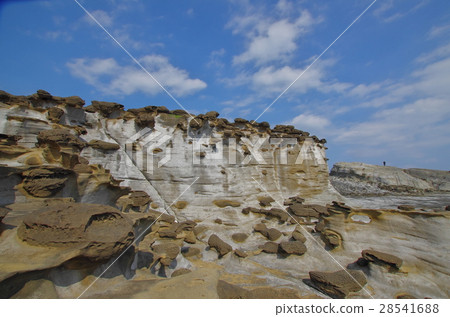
pixel 45 181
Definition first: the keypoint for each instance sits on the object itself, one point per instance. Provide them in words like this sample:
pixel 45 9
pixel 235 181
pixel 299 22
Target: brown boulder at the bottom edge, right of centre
pixel 338 284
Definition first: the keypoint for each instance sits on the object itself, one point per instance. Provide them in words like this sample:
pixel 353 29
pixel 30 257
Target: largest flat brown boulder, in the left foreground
pixel 98 231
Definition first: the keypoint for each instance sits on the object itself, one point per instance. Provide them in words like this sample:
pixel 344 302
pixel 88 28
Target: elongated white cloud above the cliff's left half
pixel 111 78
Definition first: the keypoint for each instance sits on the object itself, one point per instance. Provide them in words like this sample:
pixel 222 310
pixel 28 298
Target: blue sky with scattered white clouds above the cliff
pixel 380 93
